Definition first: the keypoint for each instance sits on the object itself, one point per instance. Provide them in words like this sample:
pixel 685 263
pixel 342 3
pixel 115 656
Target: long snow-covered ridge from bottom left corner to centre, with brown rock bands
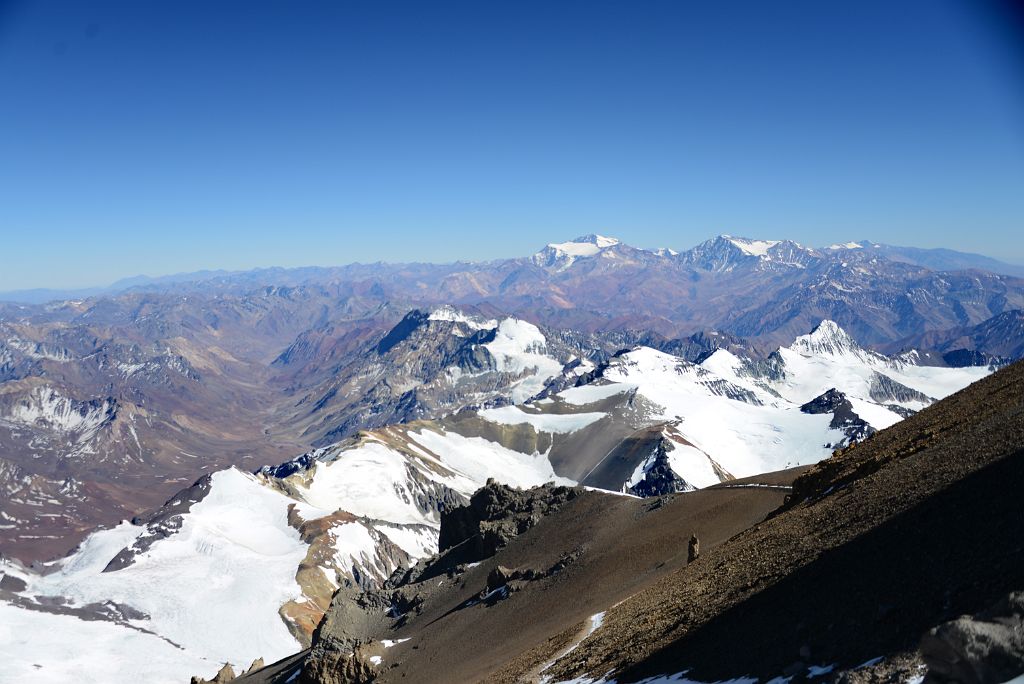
pixel 212 589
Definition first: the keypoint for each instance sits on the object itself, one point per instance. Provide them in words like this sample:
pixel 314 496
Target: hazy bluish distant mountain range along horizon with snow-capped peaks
pixel 766 290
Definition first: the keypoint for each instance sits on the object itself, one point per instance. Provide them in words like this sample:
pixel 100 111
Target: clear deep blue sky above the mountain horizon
pixel 155 138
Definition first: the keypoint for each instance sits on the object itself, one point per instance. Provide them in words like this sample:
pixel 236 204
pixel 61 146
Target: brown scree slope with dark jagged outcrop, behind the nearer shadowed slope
pixel 525 577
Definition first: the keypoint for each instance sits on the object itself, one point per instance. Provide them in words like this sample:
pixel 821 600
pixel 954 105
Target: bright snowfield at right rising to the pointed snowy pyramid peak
pixel 748 419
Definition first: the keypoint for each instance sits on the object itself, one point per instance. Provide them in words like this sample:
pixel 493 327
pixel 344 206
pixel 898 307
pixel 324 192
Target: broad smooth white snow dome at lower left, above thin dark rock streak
pixel 214 588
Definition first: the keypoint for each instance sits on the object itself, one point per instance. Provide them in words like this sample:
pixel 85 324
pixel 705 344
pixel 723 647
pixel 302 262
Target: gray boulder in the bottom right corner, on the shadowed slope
pixel 988 649
